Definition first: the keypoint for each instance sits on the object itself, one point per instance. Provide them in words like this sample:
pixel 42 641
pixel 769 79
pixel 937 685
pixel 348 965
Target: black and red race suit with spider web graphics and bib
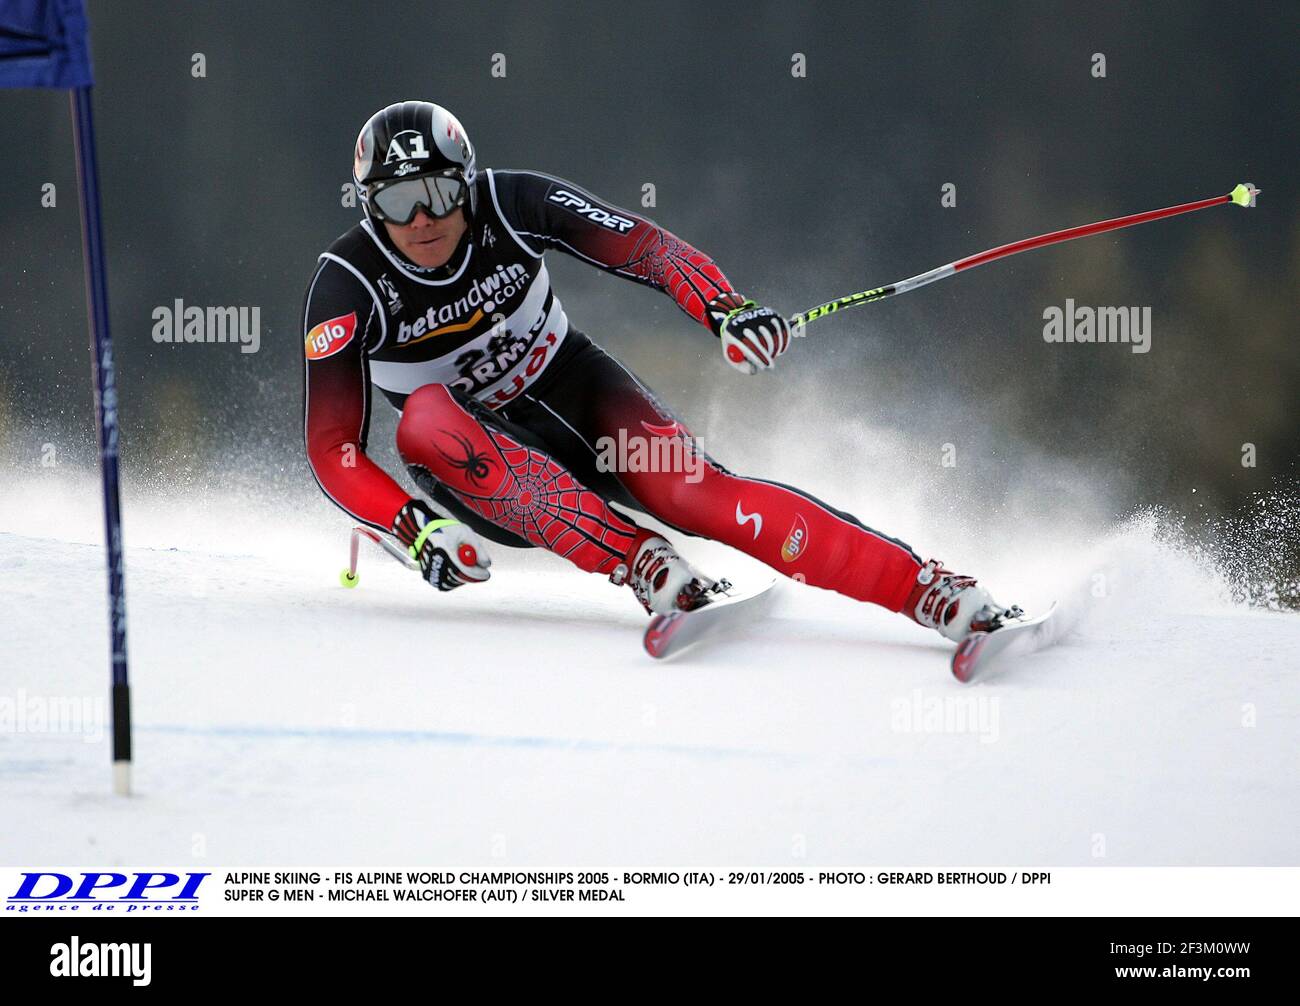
pixel 517 410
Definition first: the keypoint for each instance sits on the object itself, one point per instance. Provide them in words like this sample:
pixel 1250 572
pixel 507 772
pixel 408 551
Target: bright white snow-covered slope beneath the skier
pixel 283 721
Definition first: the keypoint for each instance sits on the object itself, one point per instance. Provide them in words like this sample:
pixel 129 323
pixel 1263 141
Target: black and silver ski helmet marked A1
pixel 409 140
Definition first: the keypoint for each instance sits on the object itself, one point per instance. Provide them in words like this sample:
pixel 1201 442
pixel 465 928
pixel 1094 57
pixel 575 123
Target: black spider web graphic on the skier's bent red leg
pixel 541 501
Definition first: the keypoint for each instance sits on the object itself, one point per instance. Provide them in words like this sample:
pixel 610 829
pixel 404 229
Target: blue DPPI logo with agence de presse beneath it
pixel 107 892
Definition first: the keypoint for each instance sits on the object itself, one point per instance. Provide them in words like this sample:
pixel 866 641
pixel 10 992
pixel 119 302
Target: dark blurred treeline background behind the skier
pixel 222 190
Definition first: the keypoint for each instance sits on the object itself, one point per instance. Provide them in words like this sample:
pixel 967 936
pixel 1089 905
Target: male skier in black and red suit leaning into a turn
pixel 440 298
